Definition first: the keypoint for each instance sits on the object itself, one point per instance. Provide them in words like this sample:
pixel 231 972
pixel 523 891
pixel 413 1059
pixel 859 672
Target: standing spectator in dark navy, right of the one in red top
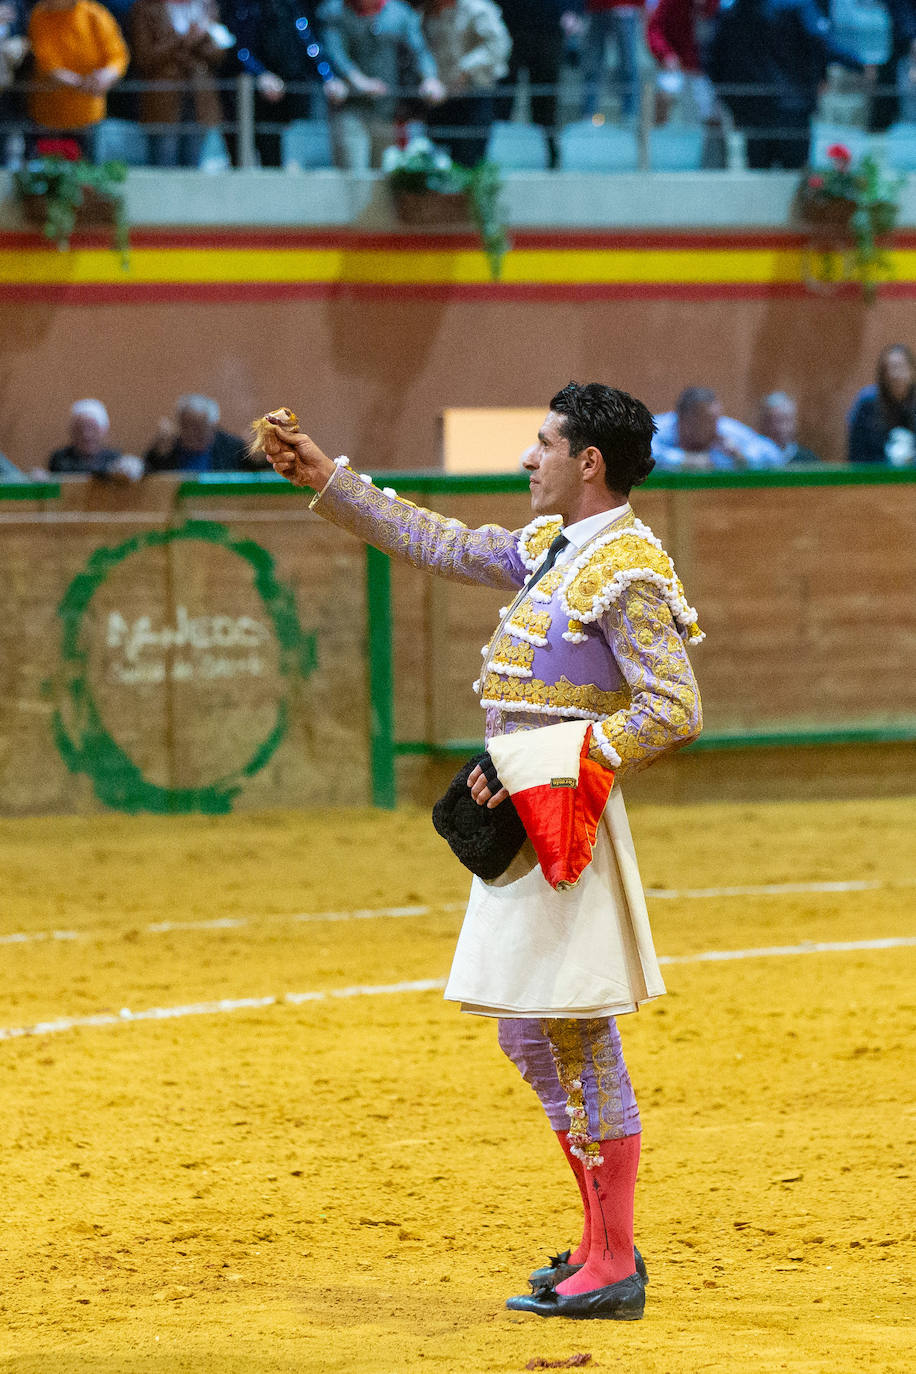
pixel 783 47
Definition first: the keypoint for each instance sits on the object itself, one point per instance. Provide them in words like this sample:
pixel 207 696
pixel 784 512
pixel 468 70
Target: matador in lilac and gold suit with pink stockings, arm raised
pixel 593 644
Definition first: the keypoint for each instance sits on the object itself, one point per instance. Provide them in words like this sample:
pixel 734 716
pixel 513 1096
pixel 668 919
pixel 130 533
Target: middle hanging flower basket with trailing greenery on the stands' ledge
pixel 429 189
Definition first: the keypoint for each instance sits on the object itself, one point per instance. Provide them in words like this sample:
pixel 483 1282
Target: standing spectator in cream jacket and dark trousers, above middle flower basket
pixel 472 47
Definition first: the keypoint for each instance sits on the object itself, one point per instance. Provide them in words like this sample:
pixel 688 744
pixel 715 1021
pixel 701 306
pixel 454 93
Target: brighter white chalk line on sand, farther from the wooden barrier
pixel 204 1009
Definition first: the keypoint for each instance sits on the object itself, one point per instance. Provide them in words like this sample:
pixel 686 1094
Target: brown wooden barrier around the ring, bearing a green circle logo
pixel 168 652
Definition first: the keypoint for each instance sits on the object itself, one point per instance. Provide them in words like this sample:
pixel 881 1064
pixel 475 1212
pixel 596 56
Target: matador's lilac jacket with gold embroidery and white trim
pixel 601 638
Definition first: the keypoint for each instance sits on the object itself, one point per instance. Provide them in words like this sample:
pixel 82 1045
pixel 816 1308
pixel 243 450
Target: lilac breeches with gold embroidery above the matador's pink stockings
pixel 558 1056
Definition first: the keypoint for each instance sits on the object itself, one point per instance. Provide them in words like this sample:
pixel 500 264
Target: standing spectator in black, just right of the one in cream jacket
pixel 538 30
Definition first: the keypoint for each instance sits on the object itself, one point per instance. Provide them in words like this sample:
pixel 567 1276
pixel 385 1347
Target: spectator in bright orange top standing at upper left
pixel 79 56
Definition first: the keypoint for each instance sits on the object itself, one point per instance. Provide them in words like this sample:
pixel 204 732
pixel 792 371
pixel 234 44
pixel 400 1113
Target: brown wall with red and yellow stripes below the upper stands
pixel 371 336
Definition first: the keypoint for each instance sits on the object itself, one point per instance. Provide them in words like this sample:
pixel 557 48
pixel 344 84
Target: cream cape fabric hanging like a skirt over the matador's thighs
pixel 527 950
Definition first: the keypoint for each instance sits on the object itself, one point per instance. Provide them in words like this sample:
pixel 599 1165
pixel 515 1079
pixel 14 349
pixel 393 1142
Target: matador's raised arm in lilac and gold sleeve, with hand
pixel 488 557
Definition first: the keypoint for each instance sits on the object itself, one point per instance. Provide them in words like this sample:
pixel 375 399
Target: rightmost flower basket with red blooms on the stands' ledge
pixel 848 212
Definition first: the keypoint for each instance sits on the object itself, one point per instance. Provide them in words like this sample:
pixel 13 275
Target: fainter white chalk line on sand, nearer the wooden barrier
pixel 764 890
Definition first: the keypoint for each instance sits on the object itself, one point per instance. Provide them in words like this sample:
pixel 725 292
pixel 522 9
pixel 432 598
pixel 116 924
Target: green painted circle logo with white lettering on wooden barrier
pixel 185 690
